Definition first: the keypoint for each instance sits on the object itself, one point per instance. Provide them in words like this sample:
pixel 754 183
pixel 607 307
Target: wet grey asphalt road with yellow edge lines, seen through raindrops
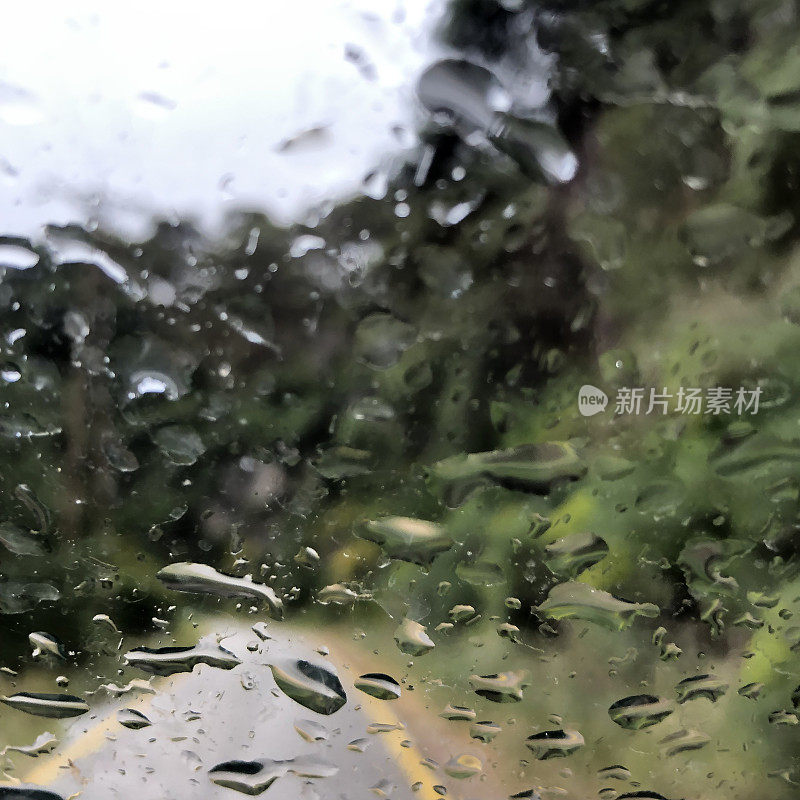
pixel 211 715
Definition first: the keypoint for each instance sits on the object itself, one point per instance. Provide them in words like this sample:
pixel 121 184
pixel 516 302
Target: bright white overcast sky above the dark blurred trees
pixel 114 111
